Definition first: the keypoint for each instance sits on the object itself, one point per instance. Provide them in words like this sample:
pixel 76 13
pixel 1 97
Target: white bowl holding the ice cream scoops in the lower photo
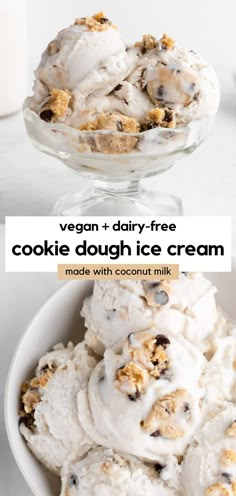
pixel 59 321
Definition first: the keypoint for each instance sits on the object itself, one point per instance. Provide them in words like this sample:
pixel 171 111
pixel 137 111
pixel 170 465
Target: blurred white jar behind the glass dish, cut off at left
pixel 13 55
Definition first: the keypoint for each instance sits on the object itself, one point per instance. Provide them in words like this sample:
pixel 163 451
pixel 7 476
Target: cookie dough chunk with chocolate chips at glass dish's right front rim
pixel 159 117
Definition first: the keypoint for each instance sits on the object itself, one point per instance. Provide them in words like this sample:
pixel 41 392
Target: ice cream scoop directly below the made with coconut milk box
pixel 115 309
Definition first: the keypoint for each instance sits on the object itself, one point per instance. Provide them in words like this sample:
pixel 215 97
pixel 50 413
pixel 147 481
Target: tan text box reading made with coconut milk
pixel 113 271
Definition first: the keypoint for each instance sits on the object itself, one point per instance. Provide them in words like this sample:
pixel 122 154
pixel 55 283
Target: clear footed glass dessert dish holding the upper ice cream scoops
pixel 117 162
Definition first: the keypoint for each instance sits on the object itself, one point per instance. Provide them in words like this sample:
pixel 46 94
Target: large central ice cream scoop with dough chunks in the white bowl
pixel 148 396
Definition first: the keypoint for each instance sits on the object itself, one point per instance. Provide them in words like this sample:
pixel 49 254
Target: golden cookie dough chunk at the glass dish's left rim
pixel 56 107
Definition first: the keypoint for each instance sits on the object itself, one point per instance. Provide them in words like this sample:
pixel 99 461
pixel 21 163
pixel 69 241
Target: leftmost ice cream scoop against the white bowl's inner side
pixel 49 420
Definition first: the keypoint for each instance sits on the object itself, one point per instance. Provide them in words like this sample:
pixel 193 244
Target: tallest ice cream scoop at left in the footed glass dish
pixel 86 58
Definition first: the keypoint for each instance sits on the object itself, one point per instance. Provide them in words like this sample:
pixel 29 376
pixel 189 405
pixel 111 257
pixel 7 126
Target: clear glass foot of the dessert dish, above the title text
pixel 121 199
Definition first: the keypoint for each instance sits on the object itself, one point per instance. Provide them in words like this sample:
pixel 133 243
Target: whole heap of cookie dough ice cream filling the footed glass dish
pixel 90 80
